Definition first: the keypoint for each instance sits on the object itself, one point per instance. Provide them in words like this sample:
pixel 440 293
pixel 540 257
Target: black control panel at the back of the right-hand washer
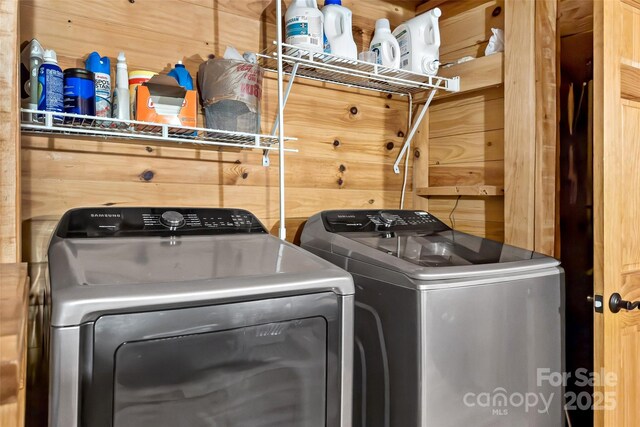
pixel 384 220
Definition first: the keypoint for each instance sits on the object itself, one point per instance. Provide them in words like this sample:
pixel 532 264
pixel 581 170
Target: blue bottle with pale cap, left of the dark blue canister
pixel 50 86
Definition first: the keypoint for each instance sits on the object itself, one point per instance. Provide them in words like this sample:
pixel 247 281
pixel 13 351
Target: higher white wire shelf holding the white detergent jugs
pixel 353 73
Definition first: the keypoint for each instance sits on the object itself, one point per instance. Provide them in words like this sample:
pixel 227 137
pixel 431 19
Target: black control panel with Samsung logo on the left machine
pixel 126 222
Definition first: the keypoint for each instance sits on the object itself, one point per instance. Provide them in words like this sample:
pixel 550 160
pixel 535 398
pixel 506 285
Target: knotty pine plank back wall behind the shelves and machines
pixel 347 140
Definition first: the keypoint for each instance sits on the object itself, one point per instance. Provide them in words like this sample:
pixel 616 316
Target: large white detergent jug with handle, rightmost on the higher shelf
pixel 419 40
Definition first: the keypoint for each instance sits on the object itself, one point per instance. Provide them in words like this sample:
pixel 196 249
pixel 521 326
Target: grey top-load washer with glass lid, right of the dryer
pixel 451 330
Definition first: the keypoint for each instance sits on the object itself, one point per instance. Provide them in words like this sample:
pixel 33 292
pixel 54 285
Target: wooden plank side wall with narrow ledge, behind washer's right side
pixel 465 137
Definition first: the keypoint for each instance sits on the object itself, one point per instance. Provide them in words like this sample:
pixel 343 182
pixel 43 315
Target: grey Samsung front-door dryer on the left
pixel 194 317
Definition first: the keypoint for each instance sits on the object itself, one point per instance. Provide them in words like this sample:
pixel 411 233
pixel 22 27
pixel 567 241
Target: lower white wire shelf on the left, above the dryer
pixel 50 123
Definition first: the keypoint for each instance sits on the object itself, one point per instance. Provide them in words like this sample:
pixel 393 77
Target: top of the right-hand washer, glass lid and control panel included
pixel 422 247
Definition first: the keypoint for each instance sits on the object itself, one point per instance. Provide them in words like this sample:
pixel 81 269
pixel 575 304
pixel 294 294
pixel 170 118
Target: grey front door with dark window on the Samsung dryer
pixel 253 364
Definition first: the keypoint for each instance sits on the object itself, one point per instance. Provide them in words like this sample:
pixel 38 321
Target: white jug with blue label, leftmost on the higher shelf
pixel 305 26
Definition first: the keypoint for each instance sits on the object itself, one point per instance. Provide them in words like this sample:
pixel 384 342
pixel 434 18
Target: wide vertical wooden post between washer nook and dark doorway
pixel 531 134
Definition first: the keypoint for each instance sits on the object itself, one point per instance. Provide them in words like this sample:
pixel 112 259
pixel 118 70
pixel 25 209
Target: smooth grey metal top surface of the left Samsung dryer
pixel 95 275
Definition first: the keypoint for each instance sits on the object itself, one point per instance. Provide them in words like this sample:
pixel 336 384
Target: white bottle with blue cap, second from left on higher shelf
pixel 338 32
